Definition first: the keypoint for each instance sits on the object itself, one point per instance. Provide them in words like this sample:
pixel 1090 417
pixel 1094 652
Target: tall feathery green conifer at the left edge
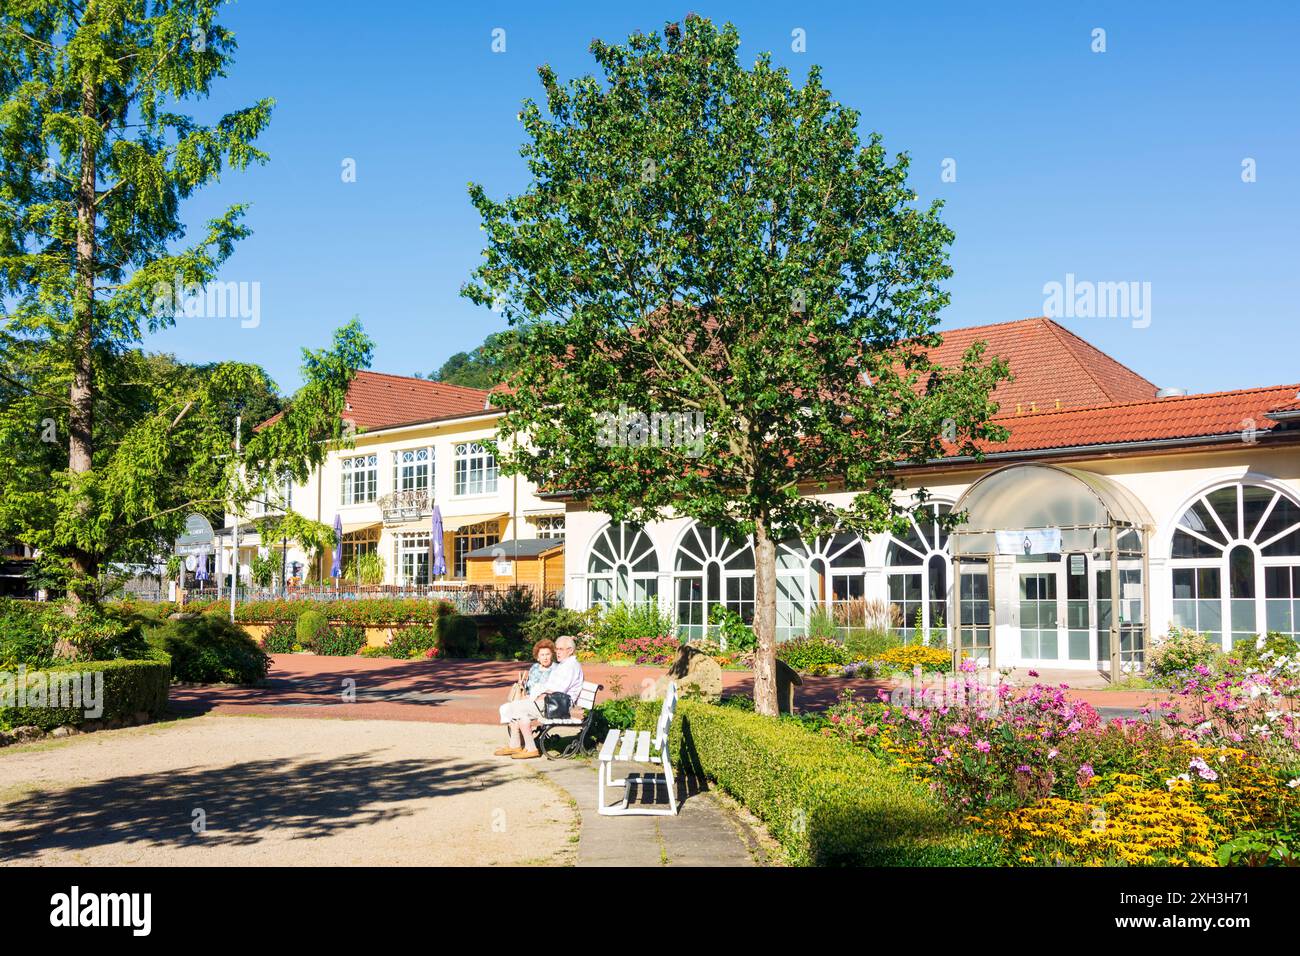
pixel 103 449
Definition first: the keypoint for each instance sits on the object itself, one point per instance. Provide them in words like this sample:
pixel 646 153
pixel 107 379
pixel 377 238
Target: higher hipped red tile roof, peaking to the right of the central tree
pixel 1050 365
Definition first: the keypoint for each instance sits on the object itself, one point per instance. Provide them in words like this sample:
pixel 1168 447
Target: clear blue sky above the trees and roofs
pixel 1124 166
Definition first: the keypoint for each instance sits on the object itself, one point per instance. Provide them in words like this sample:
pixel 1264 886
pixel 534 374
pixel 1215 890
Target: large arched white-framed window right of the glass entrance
pixel 1236 564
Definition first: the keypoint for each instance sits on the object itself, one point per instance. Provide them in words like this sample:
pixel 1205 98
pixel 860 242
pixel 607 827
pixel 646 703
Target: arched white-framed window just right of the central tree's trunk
pixel 829 573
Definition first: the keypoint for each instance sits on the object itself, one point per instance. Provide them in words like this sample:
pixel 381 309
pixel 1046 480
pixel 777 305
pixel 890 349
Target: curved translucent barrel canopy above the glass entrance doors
pixel 1022 498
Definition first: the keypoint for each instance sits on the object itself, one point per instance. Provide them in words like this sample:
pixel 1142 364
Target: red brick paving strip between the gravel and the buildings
pixel 471 691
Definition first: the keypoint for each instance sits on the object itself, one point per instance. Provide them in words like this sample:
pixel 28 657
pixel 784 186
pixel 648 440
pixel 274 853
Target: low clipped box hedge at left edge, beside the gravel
pixel 129 687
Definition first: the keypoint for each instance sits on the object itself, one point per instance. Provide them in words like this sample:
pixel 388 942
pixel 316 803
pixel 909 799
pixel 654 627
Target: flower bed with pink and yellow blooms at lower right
pixel 1214 777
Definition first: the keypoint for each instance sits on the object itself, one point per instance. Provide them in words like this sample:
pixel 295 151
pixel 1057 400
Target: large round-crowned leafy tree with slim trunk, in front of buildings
pixel 716 243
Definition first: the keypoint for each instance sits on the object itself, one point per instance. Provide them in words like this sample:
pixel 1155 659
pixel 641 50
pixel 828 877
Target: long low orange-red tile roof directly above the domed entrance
pixel 1214 414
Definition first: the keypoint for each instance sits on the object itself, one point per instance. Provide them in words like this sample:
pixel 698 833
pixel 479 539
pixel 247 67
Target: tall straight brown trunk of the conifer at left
pixel 81 417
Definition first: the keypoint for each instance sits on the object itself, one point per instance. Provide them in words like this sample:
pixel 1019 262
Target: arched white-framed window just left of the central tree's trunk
pixel 712 569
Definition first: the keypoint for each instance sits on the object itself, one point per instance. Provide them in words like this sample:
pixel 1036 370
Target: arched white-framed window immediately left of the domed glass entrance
pixel 917 568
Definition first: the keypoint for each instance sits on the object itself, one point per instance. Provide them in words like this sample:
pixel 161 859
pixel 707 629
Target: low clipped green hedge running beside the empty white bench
pixel 826 803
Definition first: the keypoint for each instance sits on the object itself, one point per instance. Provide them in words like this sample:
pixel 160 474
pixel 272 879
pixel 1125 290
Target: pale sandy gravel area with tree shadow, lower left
pixel 281 791
